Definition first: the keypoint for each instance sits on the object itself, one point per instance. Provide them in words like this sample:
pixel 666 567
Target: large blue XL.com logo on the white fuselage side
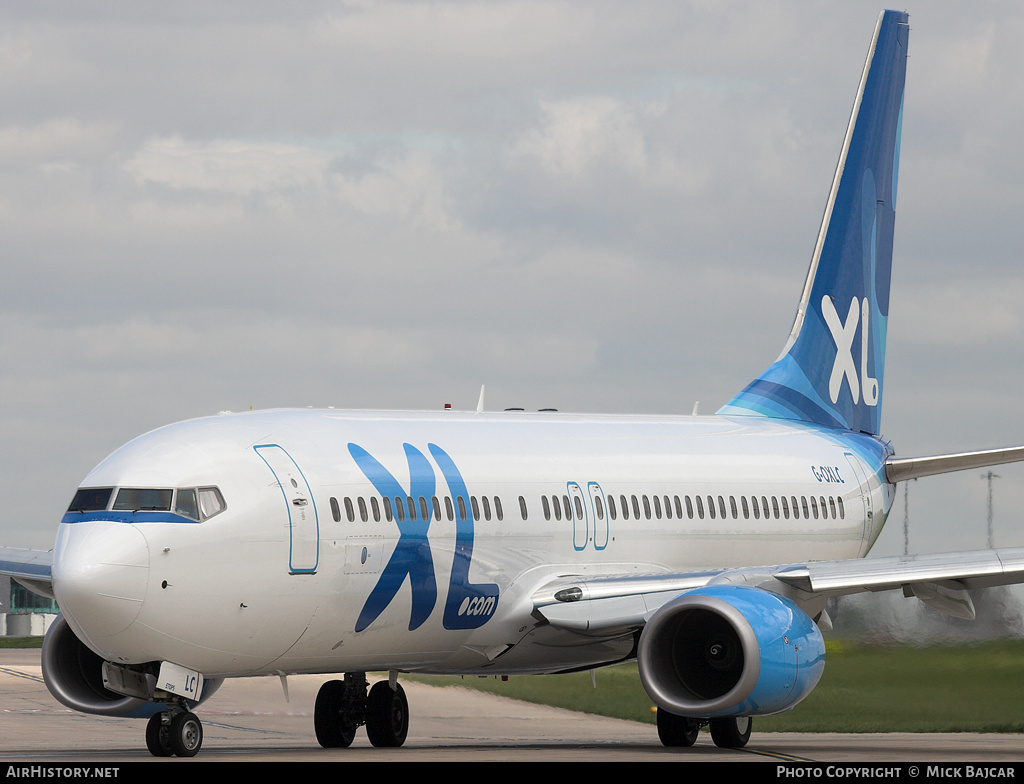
pixel 468 605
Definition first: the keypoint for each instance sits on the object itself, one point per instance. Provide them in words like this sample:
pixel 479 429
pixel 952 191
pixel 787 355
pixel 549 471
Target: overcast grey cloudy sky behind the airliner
pixel 590 206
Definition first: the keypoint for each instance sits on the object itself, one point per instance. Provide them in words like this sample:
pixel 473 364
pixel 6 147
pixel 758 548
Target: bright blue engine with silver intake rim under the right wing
pixel 730 651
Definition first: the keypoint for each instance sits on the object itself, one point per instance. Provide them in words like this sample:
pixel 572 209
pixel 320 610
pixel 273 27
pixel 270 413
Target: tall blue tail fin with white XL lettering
pixel 831 370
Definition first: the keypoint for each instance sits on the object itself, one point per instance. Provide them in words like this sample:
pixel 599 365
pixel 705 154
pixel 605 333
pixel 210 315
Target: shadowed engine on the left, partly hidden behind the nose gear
pixel 73 675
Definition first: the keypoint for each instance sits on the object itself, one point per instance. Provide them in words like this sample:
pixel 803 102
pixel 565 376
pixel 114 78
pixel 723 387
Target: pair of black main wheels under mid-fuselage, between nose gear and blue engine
pixel 344 706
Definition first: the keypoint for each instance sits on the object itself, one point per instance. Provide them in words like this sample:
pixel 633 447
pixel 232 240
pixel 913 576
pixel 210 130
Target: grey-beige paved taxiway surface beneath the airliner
pixel 249 720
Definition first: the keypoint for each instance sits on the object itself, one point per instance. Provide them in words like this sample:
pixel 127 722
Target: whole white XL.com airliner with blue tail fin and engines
pixel 311 542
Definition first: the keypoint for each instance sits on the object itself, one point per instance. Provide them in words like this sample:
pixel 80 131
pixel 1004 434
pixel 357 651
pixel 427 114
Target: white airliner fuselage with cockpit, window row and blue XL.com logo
pixel 344 542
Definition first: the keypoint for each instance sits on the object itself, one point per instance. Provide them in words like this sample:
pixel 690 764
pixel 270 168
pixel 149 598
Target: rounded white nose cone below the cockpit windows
pixel 101 573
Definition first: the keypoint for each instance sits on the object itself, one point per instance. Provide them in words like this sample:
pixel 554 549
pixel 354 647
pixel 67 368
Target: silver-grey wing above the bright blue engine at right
pixel 603 606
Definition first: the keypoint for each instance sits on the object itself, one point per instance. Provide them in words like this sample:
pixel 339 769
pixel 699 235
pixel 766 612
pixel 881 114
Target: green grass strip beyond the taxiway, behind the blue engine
pixel 976 688
